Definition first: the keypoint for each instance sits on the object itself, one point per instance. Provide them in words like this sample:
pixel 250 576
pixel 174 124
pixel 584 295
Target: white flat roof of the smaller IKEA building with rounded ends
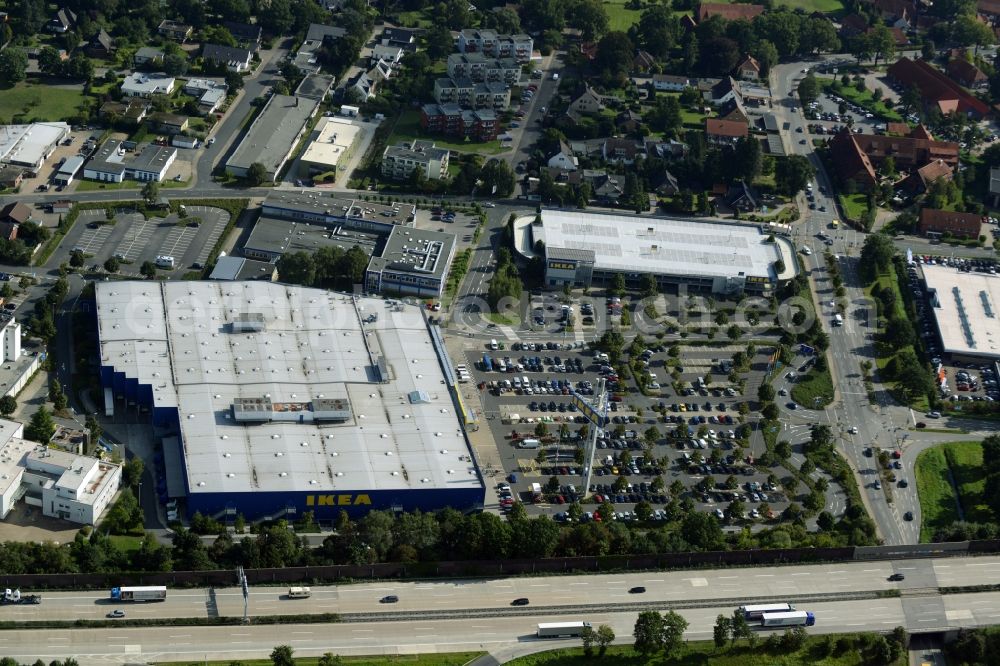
pixel 642 244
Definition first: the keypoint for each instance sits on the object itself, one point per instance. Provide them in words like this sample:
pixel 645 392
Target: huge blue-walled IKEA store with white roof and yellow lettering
pixel 277 400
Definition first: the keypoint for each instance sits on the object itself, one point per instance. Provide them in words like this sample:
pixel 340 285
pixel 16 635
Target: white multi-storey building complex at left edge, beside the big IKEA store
pixel 64 485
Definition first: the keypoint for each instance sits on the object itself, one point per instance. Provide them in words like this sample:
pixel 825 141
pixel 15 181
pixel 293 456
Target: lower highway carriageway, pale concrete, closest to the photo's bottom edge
pixel 503 636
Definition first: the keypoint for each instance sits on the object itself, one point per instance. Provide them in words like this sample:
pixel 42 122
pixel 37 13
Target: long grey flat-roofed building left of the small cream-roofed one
pixel 272 135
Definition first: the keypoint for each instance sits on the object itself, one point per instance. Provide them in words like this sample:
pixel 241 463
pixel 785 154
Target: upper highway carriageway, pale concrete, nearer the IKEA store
pixel 583 590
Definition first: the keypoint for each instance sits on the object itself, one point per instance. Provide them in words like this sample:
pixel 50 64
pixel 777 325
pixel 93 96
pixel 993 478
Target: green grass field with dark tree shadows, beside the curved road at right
pixel 938 500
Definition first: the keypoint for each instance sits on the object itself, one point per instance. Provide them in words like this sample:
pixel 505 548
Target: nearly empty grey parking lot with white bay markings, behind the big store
pixel 133 239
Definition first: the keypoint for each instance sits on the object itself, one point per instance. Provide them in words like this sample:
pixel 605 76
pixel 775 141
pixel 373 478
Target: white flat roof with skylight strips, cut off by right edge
pixel 967 310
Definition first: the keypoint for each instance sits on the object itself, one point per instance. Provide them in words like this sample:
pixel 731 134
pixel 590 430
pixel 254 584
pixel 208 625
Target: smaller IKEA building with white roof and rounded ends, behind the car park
pixel 586 249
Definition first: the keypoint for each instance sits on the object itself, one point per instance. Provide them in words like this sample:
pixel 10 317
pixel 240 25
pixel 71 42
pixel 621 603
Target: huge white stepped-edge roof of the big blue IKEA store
pixel 177 337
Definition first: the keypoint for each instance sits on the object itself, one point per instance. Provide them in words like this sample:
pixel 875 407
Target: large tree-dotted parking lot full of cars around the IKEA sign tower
pixel 684 439
